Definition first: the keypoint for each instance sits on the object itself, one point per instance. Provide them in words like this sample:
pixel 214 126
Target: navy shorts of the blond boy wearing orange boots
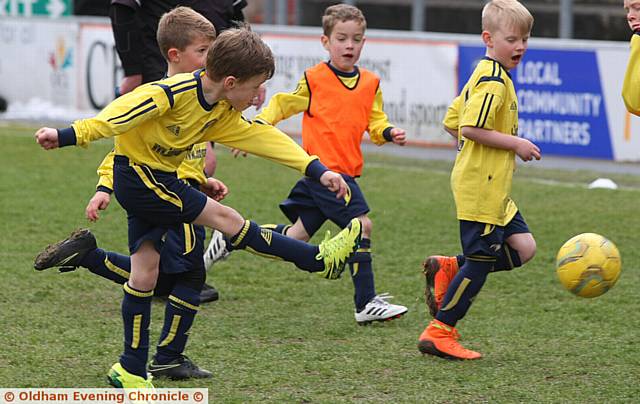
pixel 486 239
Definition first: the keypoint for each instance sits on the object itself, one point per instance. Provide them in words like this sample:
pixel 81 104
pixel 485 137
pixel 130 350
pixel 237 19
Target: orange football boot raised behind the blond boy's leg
pixel 439 271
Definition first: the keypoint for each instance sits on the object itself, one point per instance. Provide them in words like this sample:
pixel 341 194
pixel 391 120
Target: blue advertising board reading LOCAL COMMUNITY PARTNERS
pixel 561 106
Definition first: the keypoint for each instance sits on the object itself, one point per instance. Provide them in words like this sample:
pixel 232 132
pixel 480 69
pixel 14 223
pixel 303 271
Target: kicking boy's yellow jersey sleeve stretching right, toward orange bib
pixel 260 139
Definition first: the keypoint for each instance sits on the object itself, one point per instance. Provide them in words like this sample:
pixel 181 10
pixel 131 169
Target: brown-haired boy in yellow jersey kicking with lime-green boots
pixel 155 127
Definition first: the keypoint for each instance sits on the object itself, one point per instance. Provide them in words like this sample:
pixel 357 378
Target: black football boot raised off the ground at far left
pixel 68 253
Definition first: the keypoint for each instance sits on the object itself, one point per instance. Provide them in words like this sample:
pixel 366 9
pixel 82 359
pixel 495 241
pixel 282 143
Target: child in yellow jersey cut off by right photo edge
pixel 631 86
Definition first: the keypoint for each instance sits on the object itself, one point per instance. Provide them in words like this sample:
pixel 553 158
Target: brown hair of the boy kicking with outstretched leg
pixel 240 53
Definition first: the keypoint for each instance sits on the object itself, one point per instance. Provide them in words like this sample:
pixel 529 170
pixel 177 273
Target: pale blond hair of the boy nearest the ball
pixel 497 13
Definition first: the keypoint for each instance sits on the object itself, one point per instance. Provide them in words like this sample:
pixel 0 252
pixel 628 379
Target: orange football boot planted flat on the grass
pixel 441 340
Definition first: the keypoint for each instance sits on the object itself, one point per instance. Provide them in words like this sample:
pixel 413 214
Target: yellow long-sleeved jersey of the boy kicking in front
pixel 158 123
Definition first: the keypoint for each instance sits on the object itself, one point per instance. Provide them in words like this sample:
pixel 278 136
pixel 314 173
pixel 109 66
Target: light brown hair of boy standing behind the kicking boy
pixel 181 27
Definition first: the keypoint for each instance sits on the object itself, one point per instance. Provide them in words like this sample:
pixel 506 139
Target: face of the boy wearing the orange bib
pixel 344 44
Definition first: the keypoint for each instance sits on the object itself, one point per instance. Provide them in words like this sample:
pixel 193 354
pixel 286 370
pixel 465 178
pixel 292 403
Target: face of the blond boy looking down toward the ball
pixel 506 45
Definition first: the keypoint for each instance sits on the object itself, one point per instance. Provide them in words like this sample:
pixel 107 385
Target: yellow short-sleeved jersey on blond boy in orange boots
pixel 481 177
